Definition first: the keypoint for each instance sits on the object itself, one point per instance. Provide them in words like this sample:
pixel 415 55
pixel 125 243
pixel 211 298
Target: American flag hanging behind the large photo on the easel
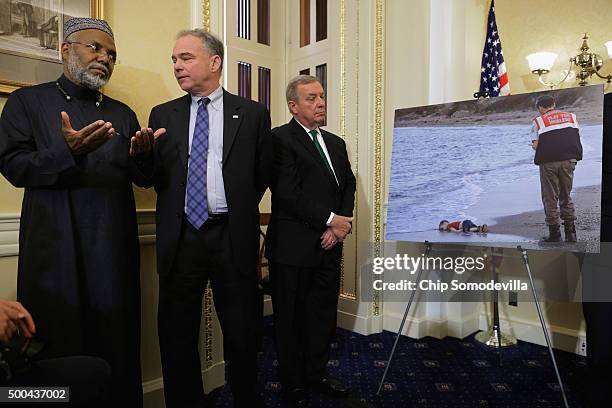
pixel 493 78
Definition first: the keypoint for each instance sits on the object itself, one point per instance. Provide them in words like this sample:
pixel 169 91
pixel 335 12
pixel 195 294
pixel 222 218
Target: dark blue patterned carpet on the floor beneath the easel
pixel 432 373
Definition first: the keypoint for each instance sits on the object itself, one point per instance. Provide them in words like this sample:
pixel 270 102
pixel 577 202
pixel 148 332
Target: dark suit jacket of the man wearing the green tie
pixel 304 193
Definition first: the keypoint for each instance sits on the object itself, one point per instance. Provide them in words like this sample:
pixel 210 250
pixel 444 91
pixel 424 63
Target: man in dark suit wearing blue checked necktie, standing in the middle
pixel 210 172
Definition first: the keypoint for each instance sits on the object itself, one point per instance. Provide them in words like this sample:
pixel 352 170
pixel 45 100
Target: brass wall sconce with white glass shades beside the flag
pixel 586 63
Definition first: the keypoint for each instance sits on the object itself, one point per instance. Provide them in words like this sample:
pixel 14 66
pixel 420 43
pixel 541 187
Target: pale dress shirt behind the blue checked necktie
pixel 215 189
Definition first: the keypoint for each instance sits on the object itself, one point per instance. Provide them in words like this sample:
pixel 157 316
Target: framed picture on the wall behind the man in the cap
pixel 31 37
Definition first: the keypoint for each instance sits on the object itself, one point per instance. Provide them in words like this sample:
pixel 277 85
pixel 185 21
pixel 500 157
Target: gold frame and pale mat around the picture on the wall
pixel 30 68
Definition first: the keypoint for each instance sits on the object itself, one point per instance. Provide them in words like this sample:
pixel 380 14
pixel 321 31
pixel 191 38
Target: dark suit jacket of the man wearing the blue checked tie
pixel 246 171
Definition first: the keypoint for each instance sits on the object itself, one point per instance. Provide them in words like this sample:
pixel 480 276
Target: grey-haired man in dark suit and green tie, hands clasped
pixel 313 195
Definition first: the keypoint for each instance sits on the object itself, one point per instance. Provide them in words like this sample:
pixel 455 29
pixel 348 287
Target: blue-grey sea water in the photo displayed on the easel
pixel 478 173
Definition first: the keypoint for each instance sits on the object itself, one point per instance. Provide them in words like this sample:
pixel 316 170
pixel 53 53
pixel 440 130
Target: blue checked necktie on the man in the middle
pixel 197 201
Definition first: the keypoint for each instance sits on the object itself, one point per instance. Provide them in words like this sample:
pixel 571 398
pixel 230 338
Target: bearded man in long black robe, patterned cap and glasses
pixel 78 270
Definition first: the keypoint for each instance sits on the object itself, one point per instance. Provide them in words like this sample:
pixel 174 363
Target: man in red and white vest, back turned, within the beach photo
pixel 556 140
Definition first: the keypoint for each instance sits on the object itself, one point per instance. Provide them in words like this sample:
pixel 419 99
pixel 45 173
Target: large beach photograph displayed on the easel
pixel 513 170
